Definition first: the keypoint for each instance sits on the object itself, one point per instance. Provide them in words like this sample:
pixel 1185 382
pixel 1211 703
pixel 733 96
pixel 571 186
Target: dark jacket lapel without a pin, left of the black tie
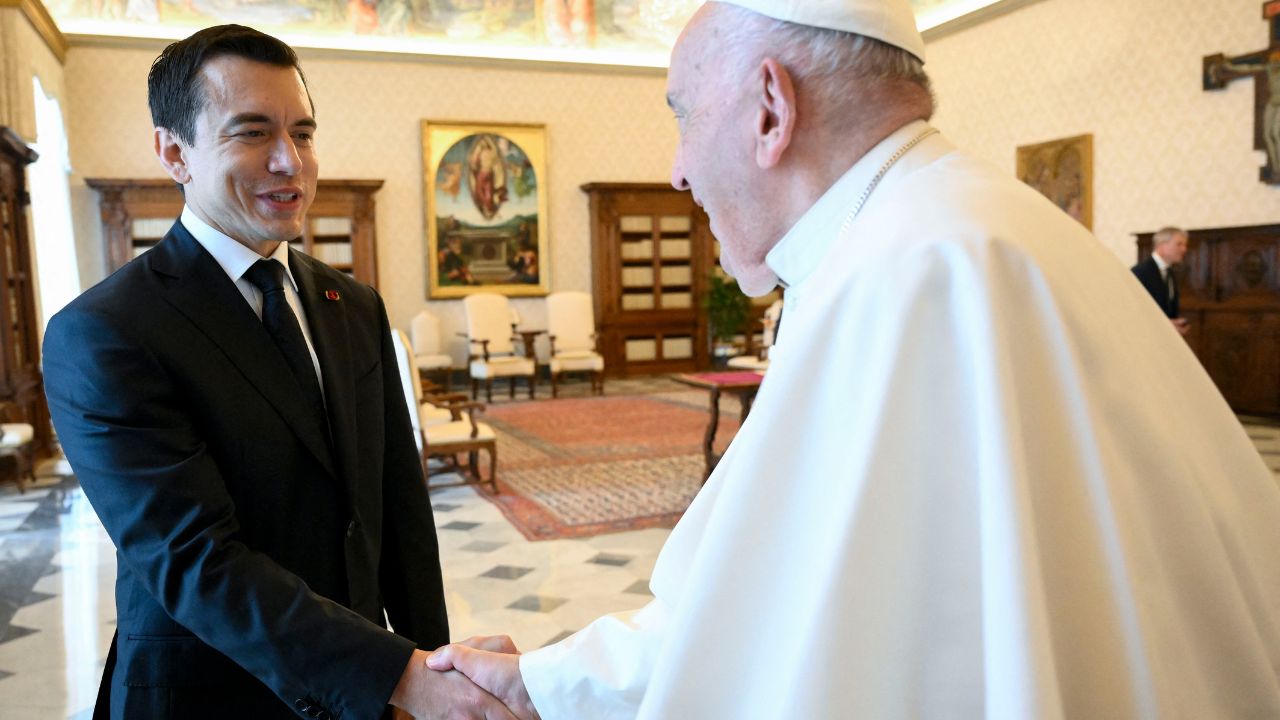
pixel 199 289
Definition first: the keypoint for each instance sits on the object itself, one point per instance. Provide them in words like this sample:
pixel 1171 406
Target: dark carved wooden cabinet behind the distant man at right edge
pixel 1231 295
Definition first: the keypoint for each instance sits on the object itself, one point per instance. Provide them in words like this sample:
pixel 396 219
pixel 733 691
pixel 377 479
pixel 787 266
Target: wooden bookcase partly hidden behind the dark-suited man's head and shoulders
pixel 340 230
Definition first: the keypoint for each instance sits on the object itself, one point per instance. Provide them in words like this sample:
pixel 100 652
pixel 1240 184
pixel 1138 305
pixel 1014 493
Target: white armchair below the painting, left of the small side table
pixel 493 347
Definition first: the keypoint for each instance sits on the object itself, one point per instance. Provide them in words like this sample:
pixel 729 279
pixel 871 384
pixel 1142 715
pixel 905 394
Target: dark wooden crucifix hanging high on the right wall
pixel 1264 67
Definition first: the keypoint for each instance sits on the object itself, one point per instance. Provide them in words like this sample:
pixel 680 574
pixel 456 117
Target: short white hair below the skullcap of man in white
pixel 834 65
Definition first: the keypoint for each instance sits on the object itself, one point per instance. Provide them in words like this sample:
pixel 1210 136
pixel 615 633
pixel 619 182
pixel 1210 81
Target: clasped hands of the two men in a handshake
pixel 476 678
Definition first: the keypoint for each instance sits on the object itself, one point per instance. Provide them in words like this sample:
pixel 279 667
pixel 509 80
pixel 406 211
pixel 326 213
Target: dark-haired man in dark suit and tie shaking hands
pixel 234 412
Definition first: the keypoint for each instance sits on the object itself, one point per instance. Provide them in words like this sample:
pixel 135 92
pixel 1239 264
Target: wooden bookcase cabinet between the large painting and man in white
pixel 652 252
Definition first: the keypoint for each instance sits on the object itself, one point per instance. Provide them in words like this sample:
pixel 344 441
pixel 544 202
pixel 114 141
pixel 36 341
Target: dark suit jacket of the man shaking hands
pixel 255 555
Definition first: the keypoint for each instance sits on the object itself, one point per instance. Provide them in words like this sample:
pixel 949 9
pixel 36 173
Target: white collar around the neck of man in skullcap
pixel 803 248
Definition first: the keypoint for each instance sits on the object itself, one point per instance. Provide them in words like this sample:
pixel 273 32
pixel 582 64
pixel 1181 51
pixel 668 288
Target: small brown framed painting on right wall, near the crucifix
pixel 1062 171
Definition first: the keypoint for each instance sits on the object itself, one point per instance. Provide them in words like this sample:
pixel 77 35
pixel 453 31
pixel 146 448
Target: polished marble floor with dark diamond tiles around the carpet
pixel 58 569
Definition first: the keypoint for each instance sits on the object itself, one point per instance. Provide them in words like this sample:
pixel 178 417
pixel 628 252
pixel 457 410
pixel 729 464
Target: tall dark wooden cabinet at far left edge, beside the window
pixel 21 381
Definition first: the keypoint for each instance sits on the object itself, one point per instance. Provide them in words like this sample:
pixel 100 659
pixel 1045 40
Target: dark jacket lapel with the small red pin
pixel 327 317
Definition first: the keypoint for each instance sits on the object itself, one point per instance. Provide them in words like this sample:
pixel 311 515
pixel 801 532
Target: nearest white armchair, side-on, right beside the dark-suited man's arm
pixel 440 430
